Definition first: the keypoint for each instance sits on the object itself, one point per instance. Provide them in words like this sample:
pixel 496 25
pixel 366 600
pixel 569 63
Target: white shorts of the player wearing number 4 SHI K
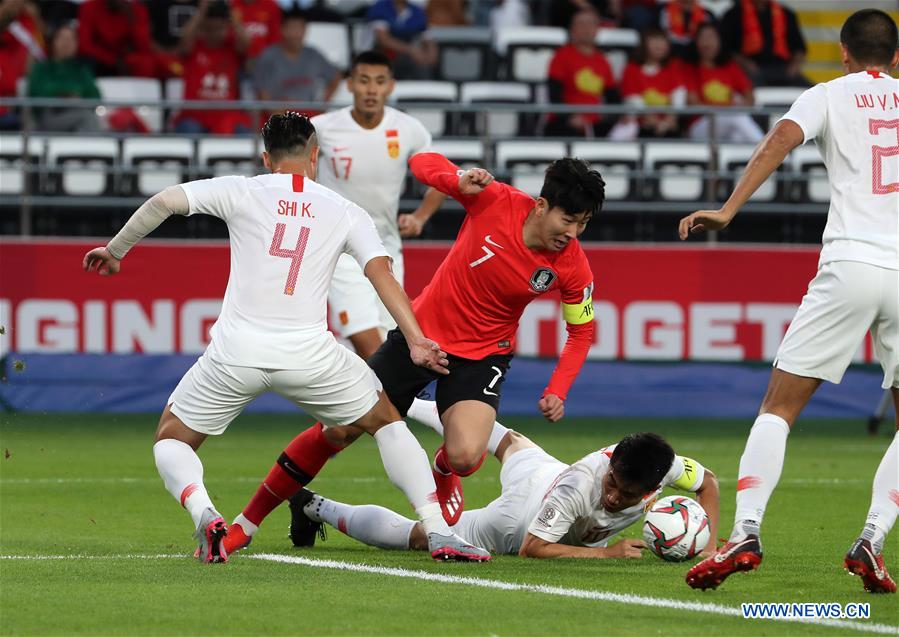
pixel 338 392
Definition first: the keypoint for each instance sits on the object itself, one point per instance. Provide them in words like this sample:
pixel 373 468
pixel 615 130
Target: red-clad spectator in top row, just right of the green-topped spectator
pixel 114 36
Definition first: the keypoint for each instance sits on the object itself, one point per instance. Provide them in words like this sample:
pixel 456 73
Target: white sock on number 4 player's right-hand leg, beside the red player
pixel 407 466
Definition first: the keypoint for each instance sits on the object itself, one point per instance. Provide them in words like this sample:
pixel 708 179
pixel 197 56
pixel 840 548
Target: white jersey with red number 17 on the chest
pixel 368 166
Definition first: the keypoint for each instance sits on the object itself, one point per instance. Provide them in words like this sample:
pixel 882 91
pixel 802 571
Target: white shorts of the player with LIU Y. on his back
pixel 844 301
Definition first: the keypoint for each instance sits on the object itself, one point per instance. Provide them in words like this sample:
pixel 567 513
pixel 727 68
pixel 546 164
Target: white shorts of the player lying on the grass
pixel 500 526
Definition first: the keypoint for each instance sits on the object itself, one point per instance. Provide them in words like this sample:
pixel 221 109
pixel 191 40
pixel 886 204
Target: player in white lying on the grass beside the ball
pixel 546 508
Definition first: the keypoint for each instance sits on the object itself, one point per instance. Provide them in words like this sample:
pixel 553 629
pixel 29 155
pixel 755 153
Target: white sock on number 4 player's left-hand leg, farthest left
pixel 182 472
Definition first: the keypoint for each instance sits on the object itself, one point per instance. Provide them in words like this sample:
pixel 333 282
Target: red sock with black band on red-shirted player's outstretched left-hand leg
pixel 302 459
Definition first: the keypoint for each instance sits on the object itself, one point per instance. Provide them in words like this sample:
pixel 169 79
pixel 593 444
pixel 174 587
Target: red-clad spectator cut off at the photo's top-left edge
pixel 20 43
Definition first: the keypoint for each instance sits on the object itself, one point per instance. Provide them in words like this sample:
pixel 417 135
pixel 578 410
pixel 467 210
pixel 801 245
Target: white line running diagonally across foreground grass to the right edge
pixel 603 596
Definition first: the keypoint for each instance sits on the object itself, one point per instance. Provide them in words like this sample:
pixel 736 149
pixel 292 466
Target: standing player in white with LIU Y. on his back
pixel 853 119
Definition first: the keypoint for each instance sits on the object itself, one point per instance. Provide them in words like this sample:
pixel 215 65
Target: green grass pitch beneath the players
pixel 85 487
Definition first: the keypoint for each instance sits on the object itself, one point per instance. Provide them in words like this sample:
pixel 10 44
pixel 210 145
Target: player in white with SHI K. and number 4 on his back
pixel 287 233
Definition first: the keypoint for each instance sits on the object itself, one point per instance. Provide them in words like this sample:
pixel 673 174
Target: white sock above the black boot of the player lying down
pixel 370 524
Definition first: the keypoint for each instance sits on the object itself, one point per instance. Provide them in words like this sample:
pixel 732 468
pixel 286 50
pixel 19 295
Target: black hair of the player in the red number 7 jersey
pixel 573 186
